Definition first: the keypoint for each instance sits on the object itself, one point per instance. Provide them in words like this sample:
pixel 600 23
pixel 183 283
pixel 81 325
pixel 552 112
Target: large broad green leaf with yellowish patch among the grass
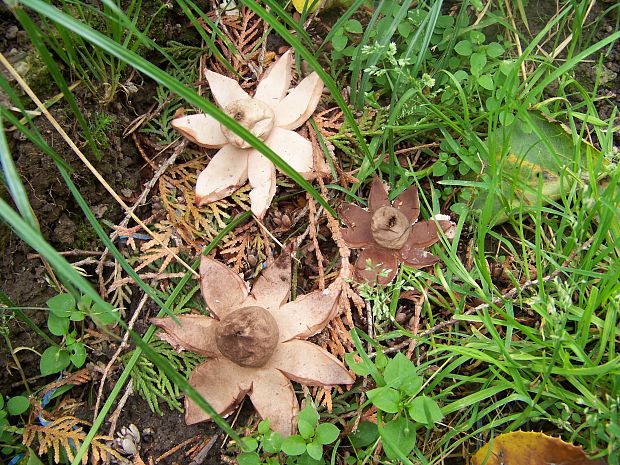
pixel 535 149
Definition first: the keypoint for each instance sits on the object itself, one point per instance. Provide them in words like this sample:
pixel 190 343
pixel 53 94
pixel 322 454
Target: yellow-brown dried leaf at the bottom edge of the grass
pixel 530 448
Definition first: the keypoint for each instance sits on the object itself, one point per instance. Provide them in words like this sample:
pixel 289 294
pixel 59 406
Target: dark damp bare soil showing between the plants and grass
pixel 22 275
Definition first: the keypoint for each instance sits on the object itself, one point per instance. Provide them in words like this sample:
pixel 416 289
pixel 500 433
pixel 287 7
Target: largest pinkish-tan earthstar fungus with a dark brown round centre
pixel 255 343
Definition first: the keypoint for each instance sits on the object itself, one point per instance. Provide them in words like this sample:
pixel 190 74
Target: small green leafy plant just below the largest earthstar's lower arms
pixel 300 449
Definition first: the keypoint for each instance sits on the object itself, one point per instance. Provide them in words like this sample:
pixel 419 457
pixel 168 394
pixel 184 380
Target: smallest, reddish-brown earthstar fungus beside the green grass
pixel 390 233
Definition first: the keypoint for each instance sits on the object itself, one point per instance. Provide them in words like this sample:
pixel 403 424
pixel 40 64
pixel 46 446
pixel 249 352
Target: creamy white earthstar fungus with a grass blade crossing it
pixel 271 115
